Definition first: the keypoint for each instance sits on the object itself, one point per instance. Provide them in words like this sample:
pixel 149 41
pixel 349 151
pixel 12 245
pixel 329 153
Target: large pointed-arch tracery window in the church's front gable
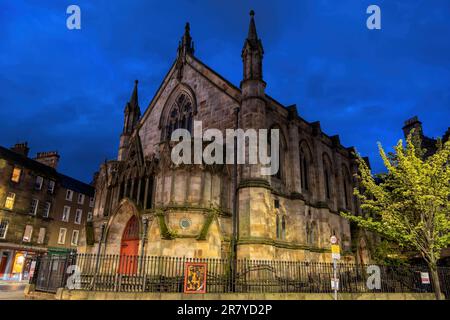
pixel 180 115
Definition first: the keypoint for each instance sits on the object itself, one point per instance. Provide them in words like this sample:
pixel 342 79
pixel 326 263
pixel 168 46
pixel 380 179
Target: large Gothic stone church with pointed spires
pixel 146 204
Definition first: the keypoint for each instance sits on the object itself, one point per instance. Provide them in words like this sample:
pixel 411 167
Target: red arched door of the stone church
pixel 129 247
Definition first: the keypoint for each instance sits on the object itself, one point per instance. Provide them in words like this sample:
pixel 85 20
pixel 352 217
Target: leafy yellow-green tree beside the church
pixel 410 205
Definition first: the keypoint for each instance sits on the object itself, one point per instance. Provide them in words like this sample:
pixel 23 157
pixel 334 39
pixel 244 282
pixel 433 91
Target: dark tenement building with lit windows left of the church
pixel 41 210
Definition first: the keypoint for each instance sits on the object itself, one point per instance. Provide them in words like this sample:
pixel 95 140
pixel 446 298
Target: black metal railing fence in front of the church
pixel 166 274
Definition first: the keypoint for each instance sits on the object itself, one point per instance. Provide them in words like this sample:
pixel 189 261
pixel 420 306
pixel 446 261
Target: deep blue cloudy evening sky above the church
pixel 66 90
